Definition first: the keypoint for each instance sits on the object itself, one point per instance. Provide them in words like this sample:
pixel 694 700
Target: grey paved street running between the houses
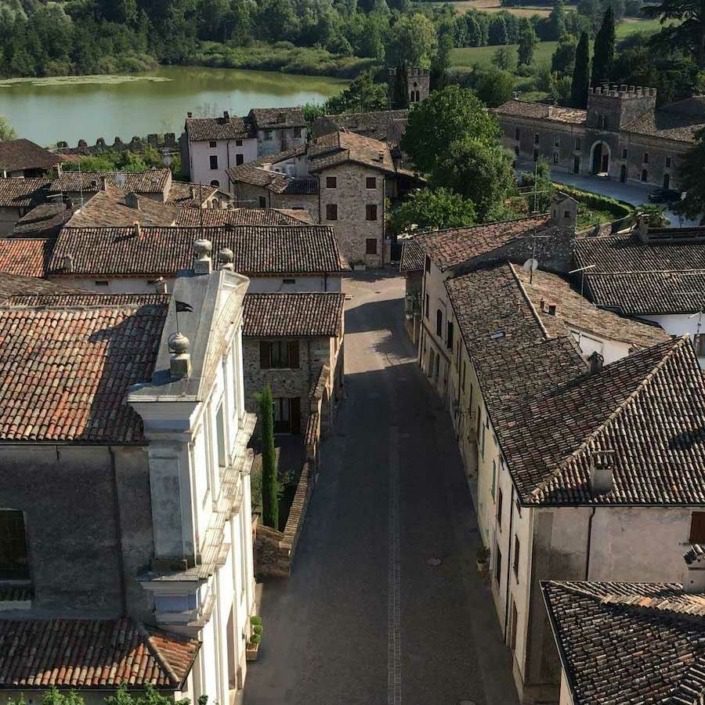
pixel 384 606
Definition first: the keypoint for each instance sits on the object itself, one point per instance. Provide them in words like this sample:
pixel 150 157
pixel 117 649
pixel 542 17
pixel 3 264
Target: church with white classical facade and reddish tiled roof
pixel 140 542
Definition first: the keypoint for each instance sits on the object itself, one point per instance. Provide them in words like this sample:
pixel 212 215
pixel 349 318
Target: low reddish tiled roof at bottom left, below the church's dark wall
pixel 83 654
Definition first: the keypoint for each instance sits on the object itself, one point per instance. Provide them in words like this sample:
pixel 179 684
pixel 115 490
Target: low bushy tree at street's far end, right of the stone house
pixel 432 208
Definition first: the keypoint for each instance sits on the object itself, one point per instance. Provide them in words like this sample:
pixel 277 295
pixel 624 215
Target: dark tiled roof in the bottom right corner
pixel 629 643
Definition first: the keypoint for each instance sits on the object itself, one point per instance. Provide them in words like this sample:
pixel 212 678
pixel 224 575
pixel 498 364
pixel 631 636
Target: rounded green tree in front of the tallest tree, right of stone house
pixel 478 170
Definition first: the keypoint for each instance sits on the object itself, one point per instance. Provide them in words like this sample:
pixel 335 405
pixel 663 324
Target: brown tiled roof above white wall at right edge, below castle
pixel 637 278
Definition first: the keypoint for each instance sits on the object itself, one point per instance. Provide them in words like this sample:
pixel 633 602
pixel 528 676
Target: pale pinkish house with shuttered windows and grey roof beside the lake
pixel 211 146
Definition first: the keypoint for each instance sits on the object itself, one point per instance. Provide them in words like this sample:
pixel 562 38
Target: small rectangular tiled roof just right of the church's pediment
pixel 293 315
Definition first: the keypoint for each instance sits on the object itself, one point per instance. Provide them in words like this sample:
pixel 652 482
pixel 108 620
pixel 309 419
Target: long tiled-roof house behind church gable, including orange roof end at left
pixel 142 259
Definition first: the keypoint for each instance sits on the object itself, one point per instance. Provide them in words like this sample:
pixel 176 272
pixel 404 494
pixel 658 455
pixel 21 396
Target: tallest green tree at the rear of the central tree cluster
pixel 447 115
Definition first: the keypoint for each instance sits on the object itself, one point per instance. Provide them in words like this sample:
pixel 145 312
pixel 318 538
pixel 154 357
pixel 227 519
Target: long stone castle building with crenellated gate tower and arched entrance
pixel 622 134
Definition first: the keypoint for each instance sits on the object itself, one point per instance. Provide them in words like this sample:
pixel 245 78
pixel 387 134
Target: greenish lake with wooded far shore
pixel 46 110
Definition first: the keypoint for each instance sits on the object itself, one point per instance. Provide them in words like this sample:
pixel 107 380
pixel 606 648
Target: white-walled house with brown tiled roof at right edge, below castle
pixel 654 274
